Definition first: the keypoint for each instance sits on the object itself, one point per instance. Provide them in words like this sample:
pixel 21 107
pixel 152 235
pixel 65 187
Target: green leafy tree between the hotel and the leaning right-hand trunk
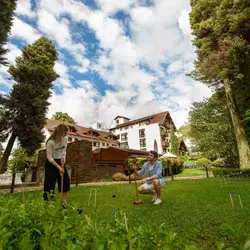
pixel 210 130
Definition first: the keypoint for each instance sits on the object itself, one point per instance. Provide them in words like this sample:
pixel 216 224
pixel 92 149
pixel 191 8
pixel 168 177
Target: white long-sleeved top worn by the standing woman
pixel 56 150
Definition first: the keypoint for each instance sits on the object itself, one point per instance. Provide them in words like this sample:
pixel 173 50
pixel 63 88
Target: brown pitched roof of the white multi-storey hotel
pixel 156 118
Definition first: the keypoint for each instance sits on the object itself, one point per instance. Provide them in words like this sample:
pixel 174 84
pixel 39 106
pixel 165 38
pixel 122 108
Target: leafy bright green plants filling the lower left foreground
pixel 23 226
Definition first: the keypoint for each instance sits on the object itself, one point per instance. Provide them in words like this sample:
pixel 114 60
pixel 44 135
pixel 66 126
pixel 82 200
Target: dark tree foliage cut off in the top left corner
pixel 7 8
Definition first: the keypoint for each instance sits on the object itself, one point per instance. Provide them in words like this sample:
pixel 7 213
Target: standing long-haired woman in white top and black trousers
pixel 56 147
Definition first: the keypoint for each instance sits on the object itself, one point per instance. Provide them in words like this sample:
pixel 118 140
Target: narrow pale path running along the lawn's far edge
pixel 21 189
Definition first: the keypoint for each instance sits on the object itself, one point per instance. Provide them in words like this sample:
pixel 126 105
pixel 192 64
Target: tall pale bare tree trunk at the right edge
pixel 240 134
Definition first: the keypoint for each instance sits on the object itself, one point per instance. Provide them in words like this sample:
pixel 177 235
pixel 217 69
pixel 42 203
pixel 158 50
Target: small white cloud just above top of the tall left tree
pixel 24 31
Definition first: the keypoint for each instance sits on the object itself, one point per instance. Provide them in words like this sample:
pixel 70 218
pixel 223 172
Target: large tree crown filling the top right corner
pixel 223 41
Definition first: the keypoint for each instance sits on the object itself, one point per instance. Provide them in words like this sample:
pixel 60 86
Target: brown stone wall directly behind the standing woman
pixel 79 157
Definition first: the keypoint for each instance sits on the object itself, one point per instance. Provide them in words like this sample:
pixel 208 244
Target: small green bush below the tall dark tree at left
pixel 19 160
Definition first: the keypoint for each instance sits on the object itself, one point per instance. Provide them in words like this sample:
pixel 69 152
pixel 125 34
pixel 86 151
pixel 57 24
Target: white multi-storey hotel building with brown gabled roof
pixel 147 133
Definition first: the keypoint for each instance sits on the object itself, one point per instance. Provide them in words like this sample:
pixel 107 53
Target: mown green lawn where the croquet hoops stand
pixel 198 210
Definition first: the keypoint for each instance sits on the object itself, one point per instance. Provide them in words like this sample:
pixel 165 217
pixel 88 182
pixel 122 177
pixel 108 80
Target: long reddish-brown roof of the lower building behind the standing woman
pixel 82 131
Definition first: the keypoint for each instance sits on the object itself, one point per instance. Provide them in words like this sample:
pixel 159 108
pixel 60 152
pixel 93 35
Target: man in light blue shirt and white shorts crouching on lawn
pixel 154 181
